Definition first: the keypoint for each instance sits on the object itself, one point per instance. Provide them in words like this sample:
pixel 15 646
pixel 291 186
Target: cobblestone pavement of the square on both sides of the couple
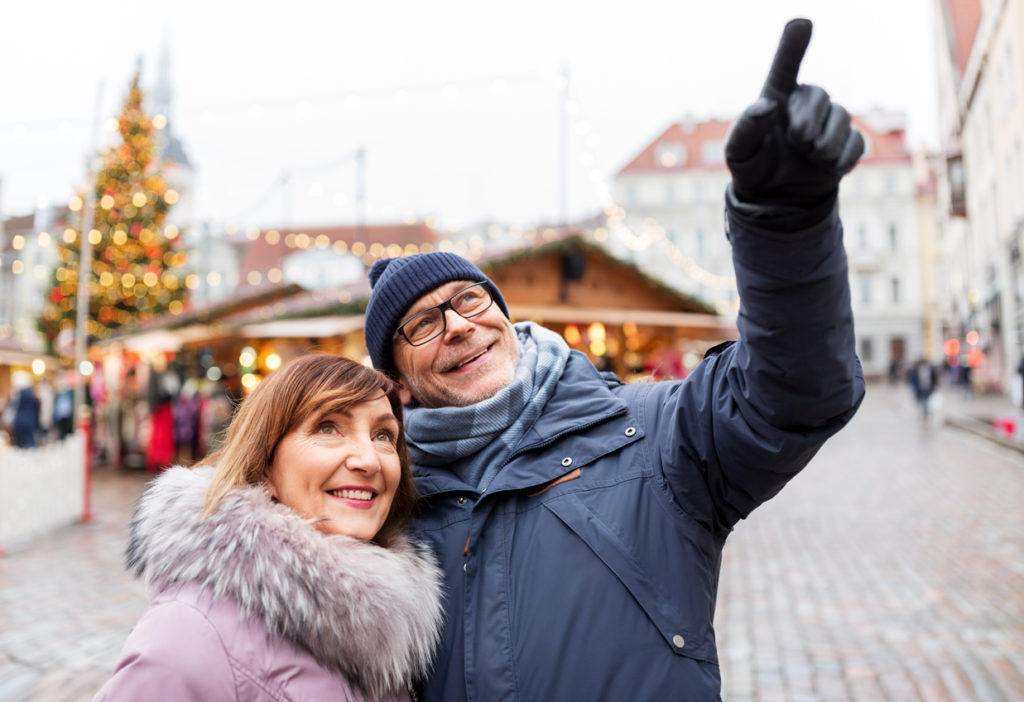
pixel 891 569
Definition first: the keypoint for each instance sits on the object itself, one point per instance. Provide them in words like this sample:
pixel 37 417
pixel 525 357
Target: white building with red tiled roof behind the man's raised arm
pixel 669 222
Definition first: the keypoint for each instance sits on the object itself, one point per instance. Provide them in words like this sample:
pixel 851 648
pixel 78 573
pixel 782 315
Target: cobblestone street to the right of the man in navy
pixel 891 569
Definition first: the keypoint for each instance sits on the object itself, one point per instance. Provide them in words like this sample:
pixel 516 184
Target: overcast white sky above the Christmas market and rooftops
pixel 458 106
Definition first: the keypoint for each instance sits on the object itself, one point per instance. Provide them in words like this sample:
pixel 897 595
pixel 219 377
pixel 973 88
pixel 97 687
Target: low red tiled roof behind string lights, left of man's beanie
pixel 263 256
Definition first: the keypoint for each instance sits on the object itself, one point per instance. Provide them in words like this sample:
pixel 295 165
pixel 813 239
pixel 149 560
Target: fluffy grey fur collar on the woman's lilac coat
pixel 370 613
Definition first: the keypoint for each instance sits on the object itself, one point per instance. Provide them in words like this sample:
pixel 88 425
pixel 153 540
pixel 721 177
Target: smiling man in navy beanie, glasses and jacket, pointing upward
pixel 580 521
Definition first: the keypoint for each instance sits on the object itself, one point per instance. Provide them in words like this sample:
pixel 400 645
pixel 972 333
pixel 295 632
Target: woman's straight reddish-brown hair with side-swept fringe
pixel 315 384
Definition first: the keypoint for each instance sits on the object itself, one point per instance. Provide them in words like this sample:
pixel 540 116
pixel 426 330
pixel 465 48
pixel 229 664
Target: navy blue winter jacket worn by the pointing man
pixel 589 568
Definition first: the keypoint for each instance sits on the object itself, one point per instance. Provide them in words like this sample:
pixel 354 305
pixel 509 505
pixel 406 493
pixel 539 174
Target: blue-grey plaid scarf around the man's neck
pixel 477 441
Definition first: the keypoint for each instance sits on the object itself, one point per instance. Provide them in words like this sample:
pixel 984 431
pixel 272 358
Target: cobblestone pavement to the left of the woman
pixel 67 604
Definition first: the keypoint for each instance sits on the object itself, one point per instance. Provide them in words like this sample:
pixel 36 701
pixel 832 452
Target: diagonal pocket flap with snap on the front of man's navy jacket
pixel 682 618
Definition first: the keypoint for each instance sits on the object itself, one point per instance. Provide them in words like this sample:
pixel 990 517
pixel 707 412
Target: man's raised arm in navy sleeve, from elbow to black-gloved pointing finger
pixel 753 415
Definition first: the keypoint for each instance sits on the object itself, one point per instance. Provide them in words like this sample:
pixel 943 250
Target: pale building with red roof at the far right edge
pixel 980 188
